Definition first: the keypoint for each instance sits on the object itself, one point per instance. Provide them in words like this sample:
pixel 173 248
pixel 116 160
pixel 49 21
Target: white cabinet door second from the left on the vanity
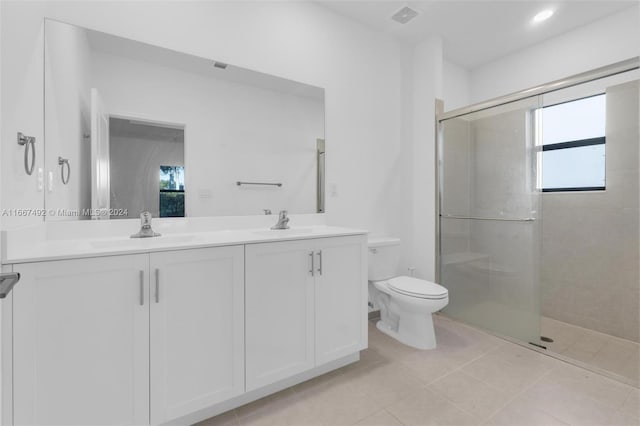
pixel 197 329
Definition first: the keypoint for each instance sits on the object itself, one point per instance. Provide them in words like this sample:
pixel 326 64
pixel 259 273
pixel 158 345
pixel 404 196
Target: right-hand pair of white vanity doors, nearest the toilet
pixel 305 305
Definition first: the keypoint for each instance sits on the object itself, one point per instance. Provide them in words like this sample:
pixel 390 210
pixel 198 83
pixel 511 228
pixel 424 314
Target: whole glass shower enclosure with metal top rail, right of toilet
pixel 566 283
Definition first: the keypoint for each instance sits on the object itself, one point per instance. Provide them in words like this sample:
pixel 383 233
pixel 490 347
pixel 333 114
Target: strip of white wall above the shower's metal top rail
pixel 600 43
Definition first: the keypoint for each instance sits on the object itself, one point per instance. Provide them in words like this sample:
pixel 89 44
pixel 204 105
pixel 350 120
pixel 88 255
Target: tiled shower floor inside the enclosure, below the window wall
pixel 615 355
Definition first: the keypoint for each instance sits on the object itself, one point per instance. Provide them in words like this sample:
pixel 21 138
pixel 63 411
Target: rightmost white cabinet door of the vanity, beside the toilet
pixel 341 297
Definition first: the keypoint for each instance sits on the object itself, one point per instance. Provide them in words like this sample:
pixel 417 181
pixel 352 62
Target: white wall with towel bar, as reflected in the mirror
pixel 233 132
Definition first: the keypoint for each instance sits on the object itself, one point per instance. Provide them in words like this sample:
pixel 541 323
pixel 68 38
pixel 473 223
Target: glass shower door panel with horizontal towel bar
pixel 489 219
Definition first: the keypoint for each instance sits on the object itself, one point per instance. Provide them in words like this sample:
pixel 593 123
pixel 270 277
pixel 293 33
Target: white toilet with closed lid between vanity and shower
pixel 406 303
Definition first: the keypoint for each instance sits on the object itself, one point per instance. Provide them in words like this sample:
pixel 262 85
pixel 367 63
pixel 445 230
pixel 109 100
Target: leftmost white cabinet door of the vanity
pixel 81 342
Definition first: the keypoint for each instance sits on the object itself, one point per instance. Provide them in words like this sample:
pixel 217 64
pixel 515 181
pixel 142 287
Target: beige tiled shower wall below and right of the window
pixel 590 246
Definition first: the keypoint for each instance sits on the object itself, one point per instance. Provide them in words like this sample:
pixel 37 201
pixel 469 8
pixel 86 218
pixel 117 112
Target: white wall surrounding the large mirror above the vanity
pixel 299 41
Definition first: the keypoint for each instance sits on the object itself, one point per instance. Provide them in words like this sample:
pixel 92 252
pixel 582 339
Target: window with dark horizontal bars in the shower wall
pixel 573 145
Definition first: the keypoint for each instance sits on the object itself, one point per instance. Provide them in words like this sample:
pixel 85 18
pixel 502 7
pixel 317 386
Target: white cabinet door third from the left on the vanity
pixel 279 311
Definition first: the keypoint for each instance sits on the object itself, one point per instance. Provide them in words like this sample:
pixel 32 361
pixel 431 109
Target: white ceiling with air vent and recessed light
pixel 477 32
